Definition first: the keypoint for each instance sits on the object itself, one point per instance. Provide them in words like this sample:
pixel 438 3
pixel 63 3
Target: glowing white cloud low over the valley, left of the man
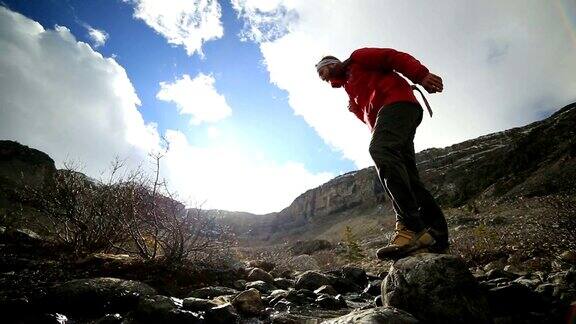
pixel 231 178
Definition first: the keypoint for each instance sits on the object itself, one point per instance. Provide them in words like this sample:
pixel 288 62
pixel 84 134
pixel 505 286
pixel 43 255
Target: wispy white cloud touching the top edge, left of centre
pixel 182 22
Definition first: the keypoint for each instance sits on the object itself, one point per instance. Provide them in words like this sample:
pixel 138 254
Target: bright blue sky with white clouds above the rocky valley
pixel 228 93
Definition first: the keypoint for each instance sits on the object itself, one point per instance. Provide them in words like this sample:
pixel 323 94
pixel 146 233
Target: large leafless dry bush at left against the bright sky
pixel 128 212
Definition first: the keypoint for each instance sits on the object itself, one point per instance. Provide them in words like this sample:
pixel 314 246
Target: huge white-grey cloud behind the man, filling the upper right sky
pixel 503 63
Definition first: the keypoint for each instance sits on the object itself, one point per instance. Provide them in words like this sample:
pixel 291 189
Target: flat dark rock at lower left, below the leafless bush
pixel 98 294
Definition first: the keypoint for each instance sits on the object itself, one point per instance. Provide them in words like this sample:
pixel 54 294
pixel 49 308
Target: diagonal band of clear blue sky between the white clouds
pixel 261 115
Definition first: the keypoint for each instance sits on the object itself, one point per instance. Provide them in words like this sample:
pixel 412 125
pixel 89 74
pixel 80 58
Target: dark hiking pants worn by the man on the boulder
pixel 392 149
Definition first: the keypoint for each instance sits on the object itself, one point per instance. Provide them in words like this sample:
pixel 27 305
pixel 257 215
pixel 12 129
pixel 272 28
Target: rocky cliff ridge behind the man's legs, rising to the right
pixel 536 159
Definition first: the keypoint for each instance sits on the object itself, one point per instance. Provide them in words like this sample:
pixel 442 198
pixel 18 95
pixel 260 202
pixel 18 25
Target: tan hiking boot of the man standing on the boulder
pixel 406 242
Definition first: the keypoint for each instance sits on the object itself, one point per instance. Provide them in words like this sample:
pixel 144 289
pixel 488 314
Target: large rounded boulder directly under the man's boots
pixel 435 288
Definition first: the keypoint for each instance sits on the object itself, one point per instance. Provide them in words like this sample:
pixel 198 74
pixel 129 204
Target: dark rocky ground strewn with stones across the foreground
pixel 39 284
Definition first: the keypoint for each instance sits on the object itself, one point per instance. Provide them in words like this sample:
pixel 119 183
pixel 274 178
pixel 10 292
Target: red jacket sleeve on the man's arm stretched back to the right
pixel 390 59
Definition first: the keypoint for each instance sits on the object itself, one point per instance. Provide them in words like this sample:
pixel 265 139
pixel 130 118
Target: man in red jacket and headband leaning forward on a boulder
pixel 385 101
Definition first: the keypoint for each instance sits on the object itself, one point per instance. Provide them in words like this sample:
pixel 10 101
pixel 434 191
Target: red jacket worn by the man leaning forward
pixel 372 81
